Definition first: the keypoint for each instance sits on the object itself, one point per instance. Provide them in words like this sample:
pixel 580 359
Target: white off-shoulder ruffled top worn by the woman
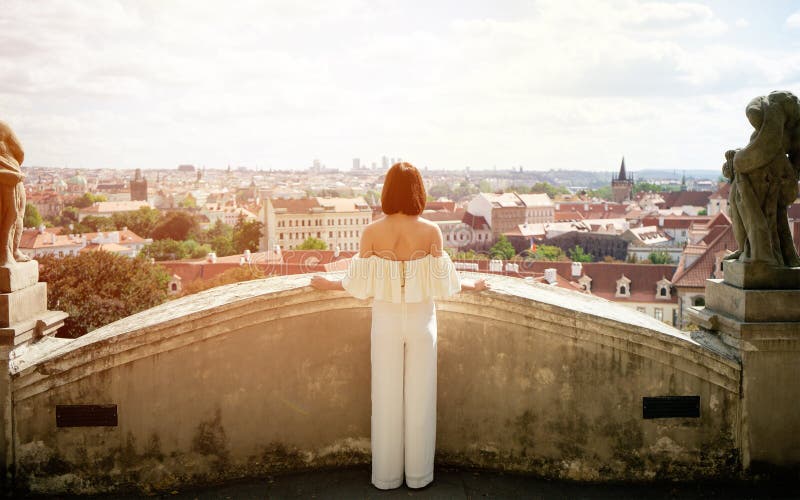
pixel 426 278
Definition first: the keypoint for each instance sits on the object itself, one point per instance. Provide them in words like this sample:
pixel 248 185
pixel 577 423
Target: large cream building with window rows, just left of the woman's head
pixel 338 222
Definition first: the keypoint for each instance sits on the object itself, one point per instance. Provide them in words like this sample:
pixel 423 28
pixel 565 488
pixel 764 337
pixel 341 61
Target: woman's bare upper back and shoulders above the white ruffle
pixel 401 237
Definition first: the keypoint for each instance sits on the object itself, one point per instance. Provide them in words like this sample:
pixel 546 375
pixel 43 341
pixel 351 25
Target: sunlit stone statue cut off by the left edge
pixel 12 197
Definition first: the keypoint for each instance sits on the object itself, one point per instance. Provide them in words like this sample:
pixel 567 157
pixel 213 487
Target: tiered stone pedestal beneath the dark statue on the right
pixel 763 325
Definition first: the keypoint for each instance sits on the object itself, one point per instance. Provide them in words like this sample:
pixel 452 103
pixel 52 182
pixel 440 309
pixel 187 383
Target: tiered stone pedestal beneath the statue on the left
pixel 24 319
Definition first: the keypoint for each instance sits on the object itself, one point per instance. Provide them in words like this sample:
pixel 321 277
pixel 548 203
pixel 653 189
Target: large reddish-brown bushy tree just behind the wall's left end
pixel 97 288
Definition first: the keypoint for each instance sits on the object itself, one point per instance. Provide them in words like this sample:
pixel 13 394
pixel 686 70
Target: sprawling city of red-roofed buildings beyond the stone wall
pixel 648 243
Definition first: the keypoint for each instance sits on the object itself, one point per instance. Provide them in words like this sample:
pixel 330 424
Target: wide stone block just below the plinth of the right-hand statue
pixel 752 305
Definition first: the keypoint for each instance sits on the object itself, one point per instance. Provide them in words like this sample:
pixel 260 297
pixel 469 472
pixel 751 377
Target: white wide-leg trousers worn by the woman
pixel 403 393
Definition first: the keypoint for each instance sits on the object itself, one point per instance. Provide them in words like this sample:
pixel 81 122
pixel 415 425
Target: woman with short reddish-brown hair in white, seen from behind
pixel 401 265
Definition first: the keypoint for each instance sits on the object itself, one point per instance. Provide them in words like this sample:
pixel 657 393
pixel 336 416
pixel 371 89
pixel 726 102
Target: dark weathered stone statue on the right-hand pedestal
pixel 764 177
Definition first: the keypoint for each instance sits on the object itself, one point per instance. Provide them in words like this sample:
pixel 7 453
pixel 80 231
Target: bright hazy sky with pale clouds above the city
pixel 444 84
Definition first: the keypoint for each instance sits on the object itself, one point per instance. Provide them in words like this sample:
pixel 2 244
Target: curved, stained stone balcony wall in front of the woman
pixel 270 375
